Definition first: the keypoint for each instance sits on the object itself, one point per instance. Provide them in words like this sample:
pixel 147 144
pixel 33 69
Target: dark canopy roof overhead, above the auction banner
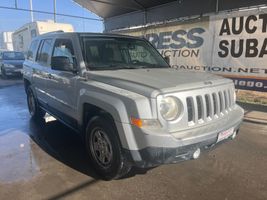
pixel 120 14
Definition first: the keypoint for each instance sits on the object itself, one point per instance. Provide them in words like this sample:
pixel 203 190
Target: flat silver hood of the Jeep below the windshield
pixel 151 82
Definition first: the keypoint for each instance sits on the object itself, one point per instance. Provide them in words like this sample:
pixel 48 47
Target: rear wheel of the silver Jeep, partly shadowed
pixel 34 109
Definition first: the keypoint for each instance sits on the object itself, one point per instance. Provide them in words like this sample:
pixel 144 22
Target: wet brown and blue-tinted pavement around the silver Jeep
pixel 48 161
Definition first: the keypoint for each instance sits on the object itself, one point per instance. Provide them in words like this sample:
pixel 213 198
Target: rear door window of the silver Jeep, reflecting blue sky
pixel 44 52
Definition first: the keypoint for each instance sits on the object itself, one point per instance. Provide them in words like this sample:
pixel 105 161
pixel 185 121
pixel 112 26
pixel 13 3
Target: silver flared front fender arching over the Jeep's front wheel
pixel 120 104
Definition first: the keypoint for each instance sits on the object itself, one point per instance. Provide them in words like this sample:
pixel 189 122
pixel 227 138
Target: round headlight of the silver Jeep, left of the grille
pixel 169 108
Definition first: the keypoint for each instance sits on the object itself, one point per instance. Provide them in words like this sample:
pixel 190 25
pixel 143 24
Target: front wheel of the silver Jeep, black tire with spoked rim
pixel 104 149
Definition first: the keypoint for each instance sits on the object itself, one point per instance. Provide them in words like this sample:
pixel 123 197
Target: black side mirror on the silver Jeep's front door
pixel 61 63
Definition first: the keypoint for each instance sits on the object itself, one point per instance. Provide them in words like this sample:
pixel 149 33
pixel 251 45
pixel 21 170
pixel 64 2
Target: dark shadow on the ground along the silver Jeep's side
pixel 61 143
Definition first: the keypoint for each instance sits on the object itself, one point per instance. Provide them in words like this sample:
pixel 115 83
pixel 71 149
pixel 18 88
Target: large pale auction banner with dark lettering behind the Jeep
pixel 233 45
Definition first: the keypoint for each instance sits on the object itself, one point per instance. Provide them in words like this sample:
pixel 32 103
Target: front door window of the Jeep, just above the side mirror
pixel 63 47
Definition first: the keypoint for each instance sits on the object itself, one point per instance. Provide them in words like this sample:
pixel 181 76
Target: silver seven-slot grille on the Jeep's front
pixel 209 106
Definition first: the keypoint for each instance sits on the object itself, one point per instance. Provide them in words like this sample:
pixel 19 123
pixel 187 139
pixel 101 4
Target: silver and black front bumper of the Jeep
pixel 155 149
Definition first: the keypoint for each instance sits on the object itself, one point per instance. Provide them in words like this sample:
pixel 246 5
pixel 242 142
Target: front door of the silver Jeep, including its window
pixel 62 84
